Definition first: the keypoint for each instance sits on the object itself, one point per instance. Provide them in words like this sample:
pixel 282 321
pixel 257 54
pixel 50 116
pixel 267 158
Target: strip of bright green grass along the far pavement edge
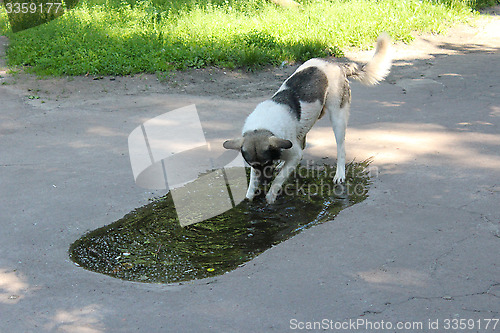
pixel 119 37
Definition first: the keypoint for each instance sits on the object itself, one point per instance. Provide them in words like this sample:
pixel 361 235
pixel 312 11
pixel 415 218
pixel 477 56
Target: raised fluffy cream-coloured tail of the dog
pixel 377 68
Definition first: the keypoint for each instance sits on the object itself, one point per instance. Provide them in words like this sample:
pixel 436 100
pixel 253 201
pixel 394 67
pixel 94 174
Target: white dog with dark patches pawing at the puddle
pixel 276 130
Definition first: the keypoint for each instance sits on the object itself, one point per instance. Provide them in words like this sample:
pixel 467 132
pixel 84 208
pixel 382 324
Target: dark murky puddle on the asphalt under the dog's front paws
pixel 149 245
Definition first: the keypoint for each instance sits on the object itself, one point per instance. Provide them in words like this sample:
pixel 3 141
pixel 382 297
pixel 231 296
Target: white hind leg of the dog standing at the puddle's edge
pixel 339 118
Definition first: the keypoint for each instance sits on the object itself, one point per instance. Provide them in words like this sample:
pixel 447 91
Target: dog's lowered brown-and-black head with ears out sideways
pixel 260 149
